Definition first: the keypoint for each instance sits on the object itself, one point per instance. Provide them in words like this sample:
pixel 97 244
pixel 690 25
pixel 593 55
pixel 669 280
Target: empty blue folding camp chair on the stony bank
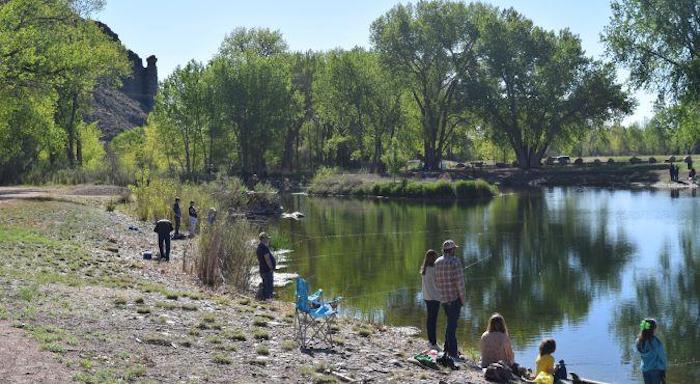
pixel 314 318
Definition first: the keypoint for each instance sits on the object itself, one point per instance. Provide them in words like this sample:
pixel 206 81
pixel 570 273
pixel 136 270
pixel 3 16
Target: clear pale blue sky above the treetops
pixel 177 31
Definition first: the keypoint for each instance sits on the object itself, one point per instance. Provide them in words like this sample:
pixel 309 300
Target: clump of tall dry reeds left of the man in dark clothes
pixel 225 255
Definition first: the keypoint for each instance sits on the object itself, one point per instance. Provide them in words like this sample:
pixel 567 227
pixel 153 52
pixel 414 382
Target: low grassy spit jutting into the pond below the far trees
pixel 329 184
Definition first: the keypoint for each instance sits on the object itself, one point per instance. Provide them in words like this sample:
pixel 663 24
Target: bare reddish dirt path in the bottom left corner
pixel 23 361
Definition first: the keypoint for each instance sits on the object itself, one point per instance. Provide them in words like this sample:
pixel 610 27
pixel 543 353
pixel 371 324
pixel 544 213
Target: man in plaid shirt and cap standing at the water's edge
pixel 449 279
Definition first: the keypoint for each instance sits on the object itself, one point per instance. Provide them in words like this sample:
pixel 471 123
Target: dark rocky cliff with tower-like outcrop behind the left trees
pixel 116 110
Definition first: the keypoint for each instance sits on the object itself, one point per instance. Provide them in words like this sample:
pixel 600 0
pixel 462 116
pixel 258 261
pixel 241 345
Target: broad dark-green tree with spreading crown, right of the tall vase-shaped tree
pixel 537 87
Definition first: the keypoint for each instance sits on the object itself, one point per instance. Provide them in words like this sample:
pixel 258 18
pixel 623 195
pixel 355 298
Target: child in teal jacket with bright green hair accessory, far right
pixel 654 361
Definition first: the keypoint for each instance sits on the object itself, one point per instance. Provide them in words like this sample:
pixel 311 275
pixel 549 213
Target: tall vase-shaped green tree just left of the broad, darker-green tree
pixel 427 44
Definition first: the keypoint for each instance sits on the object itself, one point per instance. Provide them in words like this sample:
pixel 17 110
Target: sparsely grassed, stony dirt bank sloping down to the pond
pixel 103 314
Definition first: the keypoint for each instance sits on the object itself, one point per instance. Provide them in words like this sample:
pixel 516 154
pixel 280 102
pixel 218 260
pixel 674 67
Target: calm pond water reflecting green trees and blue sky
pixel 581 266
